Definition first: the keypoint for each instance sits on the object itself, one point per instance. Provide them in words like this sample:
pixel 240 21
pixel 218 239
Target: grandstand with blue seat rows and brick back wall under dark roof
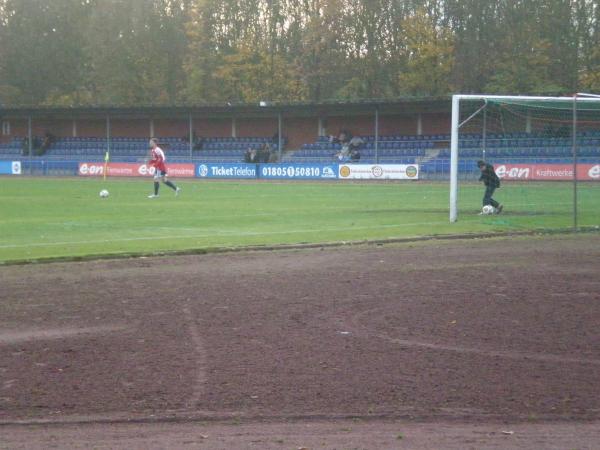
pixel 227 133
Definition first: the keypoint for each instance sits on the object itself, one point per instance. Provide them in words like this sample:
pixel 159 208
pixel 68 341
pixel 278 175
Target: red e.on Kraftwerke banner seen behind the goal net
pixel 585 172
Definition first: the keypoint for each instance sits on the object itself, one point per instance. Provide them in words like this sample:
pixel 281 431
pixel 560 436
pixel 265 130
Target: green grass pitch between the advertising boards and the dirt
pixel 65 217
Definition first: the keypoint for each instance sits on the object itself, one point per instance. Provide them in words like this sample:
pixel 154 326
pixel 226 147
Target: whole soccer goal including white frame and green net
pixel 545 150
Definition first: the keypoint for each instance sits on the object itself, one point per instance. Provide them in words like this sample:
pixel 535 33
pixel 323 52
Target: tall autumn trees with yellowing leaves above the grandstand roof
pixel 167 52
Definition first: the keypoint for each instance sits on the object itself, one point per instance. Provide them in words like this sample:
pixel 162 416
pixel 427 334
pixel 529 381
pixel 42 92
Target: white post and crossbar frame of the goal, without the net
pixel 478 104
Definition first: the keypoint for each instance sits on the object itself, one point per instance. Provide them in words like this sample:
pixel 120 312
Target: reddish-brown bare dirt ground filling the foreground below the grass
pixel 425 345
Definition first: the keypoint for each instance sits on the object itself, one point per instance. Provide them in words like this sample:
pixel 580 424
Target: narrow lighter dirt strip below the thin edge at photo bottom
pixel 332 434
